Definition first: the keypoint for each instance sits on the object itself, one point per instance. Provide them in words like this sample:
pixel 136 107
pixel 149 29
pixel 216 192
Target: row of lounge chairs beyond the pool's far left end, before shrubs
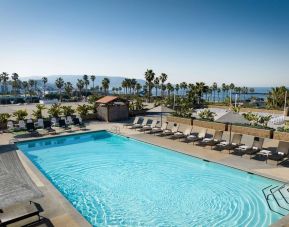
pixel 52 126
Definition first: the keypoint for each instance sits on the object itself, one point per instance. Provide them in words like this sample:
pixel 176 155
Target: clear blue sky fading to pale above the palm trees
pixel 240 41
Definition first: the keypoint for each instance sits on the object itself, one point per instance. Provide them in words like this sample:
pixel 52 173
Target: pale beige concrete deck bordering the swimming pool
pixel 61 213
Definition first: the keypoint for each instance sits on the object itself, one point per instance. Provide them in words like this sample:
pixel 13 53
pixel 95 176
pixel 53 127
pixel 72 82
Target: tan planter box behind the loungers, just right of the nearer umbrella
pixel 265 133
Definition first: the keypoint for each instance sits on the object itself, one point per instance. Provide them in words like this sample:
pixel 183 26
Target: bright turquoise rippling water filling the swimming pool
pixel 116 181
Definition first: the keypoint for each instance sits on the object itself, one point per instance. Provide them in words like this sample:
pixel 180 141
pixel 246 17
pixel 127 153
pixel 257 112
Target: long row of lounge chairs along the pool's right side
pixel 218 141
